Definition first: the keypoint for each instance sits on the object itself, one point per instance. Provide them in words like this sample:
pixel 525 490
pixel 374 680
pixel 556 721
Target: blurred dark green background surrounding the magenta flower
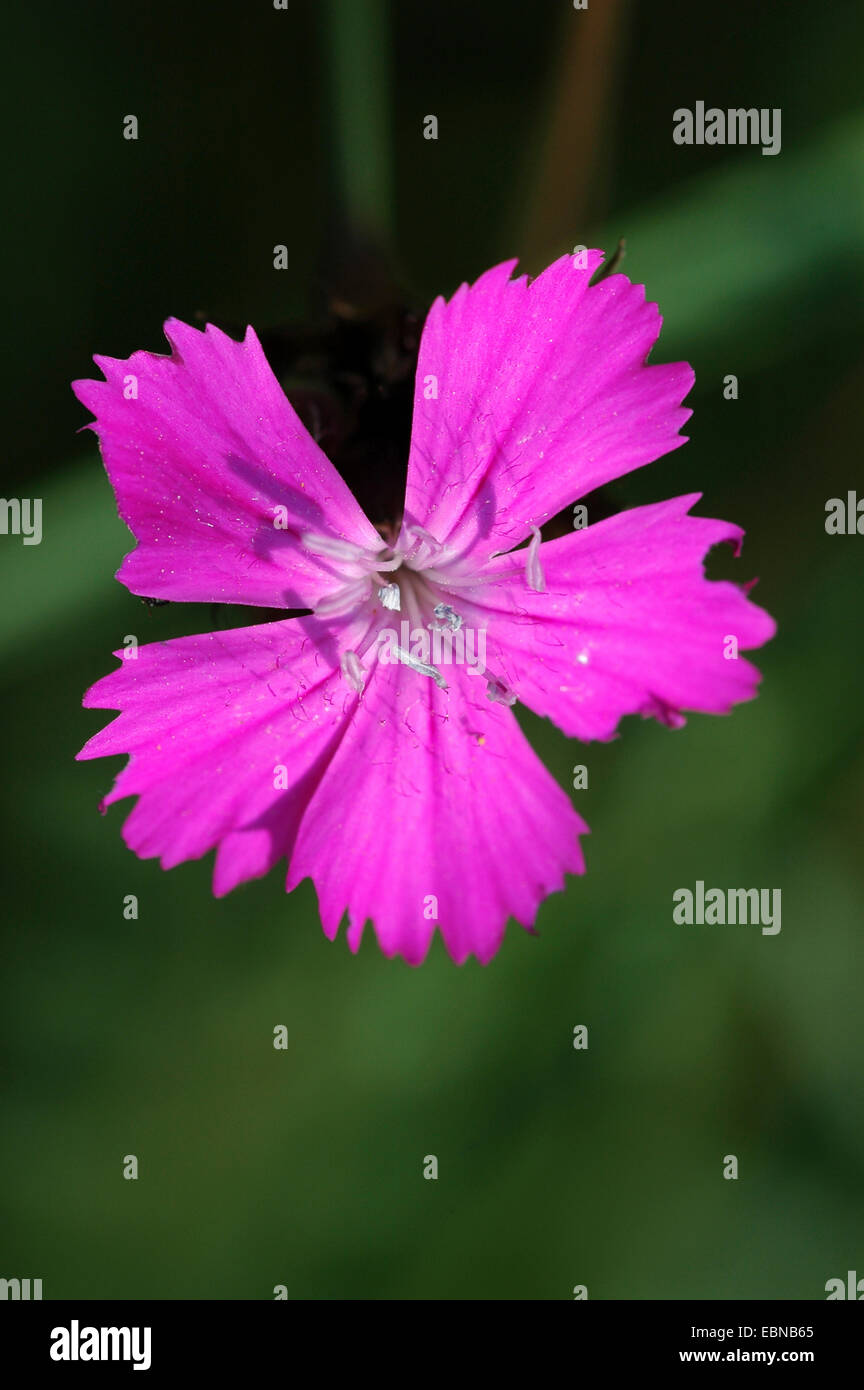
pixel 155 1038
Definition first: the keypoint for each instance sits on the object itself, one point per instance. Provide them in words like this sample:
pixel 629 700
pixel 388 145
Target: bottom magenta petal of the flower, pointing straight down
pixel 435 811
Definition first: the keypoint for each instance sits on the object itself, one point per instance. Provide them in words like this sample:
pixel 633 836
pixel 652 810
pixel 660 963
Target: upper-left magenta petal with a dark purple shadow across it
pixel 202 448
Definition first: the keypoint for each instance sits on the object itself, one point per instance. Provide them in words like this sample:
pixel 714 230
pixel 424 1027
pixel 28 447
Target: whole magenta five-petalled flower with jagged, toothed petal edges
pixel 404 787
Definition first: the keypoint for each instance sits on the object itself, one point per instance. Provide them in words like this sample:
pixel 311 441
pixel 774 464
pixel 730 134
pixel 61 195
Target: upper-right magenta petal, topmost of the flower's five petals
pixel 530 395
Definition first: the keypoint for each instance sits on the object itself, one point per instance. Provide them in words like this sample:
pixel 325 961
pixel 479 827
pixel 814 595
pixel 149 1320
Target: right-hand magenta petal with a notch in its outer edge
pixel 627 623
